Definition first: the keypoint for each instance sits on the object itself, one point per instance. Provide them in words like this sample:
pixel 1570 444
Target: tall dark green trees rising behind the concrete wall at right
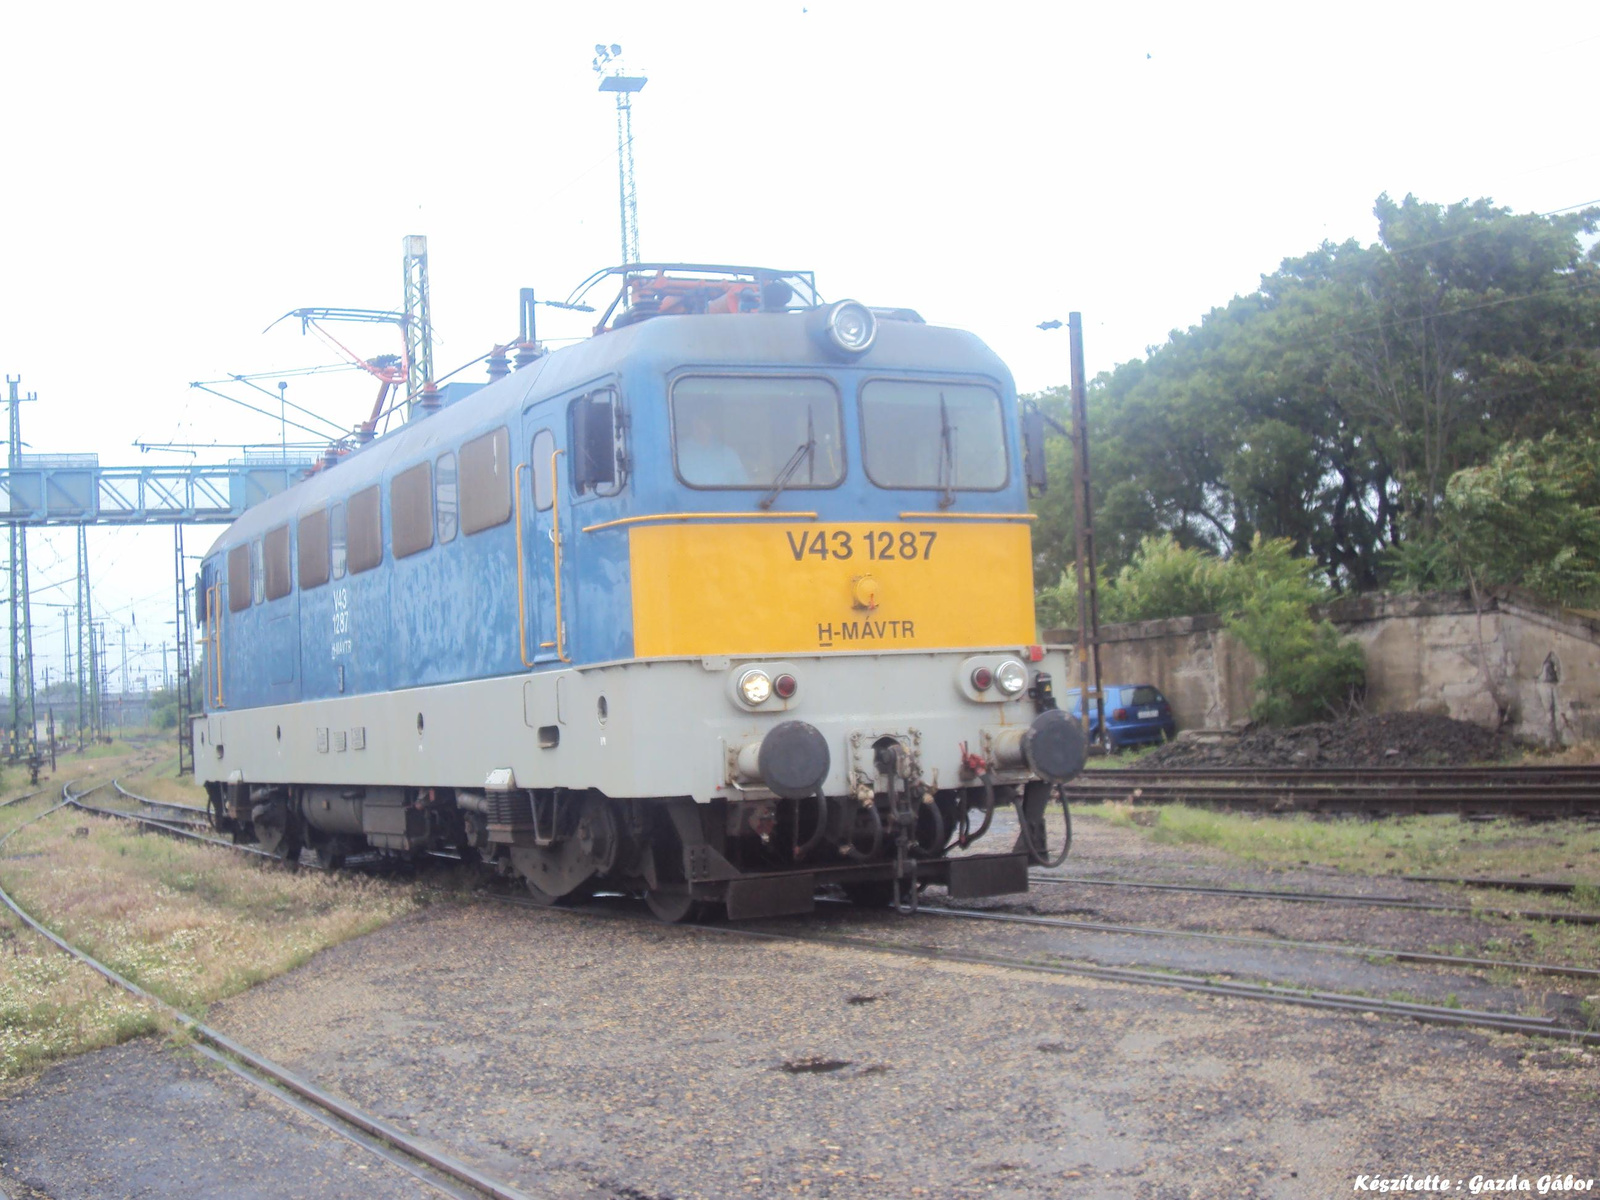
pixel 1334 406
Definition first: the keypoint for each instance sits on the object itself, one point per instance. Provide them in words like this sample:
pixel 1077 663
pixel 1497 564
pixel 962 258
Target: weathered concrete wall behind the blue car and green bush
pixel 1518 665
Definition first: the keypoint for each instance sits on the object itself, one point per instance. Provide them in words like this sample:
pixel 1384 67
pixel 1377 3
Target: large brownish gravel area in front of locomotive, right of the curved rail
pixel 612 1058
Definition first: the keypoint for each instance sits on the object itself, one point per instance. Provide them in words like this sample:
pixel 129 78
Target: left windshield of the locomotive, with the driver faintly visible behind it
pixel 751 431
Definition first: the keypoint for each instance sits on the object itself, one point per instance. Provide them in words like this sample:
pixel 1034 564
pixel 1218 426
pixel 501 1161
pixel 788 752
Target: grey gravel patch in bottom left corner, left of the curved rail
pixel 142 1121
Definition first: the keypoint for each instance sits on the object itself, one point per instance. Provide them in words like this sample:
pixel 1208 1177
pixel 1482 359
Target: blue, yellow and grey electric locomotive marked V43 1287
pixel 724 604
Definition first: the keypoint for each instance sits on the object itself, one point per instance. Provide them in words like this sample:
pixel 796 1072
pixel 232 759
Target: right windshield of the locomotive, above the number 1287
pixel 934 436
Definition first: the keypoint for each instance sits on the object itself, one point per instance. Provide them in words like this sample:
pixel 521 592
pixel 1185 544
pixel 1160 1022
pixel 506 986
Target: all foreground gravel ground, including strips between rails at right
pixel 588 1057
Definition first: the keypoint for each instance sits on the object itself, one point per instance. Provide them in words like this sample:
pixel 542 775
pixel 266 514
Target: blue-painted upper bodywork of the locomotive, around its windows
pixel 452 612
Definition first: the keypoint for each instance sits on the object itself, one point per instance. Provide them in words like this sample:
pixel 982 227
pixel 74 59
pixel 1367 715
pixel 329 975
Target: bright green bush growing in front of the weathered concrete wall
pixel 1308 673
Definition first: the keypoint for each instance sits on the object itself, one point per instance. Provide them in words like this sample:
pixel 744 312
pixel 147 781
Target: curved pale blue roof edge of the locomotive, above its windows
pixel 663 343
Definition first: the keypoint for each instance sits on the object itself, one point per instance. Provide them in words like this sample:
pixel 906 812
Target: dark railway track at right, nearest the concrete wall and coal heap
pixel 1534 793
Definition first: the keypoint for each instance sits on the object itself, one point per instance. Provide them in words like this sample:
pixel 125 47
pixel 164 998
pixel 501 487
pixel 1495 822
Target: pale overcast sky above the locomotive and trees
pixel 177 177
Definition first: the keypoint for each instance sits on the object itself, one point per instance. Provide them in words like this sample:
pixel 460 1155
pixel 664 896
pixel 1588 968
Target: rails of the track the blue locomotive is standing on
pixel 1132 975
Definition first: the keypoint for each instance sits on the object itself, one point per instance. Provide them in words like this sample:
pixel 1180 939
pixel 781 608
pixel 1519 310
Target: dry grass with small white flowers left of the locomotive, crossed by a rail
pixel 190 922
